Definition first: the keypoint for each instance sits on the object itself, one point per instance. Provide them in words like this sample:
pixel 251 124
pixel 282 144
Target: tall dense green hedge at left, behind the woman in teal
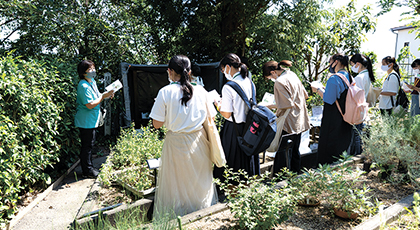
pixel 36 125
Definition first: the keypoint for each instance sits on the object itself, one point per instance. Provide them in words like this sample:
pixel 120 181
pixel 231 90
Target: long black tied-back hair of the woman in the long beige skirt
pixel 182 66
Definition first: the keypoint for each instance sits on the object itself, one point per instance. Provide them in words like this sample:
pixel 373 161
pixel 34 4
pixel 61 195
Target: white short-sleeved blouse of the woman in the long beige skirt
pixel 178 117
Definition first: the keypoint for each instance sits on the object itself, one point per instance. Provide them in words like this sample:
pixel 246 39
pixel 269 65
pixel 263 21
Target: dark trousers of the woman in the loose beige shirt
pixel 293 155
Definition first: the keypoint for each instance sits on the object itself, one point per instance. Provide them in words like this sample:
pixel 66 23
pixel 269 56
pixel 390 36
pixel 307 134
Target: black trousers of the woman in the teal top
pixel 87 137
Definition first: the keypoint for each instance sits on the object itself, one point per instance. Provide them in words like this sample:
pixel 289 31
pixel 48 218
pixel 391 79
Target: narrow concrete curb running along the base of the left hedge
pixel 39 198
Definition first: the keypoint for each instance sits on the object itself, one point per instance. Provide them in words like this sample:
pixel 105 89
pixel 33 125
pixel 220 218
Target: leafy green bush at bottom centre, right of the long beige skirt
pixel 257 205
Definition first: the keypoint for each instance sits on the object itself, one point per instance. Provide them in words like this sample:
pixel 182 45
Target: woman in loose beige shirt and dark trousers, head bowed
pixel 289 93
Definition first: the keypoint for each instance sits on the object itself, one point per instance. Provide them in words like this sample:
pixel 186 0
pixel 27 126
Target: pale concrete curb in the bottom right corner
pixel 388 215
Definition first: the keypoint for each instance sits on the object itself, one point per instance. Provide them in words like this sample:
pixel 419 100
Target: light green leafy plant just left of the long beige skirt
pixel 128 158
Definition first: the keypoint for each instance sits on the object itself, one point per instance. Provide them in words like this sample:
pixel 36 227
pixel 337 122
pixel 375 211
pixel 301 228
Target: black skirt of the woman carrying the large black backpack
pixel 235 157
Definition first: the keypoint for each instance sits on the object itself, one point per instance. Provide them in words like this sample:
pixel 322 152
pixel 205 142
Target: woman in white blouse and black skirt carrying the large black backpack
pixel 232 105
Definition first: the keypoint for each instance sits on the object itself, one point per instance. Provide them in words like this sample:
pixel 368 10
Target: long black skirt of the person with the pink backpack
pixel 335 134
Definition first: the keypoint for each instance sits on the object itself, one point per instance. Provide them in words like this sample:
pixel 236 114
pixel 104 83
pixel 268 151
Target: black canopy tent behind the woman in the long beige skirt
pixel 142 83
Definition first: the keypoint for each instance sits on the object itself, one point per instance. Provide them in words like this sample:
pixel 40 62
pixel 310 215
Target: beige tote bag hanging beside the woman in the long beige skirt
pixel 217 155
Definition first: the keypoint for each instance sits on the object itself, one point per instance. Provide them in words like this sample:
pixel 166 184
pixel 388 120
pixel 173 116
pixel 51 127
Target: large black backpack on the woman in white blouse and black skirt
pixel 260 126
